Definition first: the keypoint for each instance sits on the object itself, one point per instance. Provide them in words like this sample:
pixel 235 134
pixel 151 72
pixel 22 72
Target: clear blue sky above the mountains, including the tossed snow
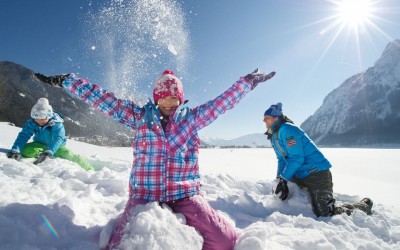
pixel 208 43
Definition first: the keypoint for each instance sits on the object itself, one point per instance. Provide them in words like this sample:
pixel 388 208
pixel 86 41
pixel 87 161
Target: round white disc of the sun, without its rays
pixel 354 13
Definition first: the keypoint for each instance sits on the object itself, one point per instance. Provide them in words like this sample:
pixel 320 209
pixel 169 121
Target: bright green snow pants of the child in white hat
pixel 33 149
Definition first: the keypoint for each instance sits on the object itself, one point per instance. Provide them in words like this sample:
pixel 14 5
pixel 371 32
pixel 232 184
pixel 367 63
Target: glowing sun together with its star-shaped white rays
pixel 349 24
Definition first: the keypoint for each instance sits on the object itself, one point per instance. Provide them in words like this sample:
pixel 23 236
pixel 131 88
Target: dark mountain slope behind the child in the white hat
pixel 20 90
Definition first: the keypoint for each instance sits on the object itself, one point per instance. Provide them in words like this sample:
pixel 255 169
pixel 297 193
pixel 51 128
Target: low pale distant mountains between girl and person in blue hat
pixel 251 140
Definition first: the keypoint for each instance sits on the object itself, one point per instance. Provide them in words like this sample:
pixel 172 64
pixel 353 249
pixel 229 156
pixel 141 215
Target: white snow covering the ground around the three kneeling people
pixel 58 205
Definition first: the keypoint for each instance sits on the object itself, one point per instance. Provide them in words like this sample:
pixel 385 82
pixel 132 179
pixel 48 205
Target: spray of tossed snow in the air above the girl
pixel 137 39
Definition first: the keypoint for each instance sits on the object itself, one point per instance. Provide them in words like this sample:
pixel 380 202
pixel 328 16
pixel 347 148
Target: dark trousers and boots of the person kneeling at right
pixel 320 188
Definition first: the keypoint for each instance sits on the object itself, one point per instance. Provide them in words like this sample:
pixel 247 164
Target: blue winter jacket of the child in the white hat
pixel 52 134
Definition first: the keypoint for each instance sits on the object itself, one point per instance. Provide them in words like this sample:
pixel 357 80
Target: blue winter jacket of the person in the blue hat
pixel 297 154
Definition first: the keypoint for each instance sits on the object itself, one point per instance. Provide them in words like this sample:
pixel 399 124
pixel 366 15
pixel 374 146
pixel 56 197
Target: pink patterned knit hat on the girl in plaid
pixel 168 85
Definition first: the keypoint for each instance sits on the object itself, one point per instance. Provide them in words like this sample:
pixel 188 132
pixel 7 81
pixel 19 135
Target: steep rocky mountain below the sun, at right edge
pixel 364 110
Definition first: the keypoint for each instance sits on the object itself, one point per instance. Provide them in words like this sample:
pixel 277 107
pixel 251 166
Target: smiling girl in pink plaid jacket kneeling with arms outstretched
pixel 165 148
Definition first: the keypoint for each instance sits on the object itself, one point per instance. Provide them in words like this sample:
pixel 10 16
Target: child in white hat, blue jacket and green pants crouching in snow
pixel 47 129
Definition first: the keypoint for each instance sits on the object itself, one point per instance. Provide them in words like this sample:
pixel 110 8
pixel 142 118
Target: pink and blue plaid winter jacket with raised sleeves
pixel 165 165
